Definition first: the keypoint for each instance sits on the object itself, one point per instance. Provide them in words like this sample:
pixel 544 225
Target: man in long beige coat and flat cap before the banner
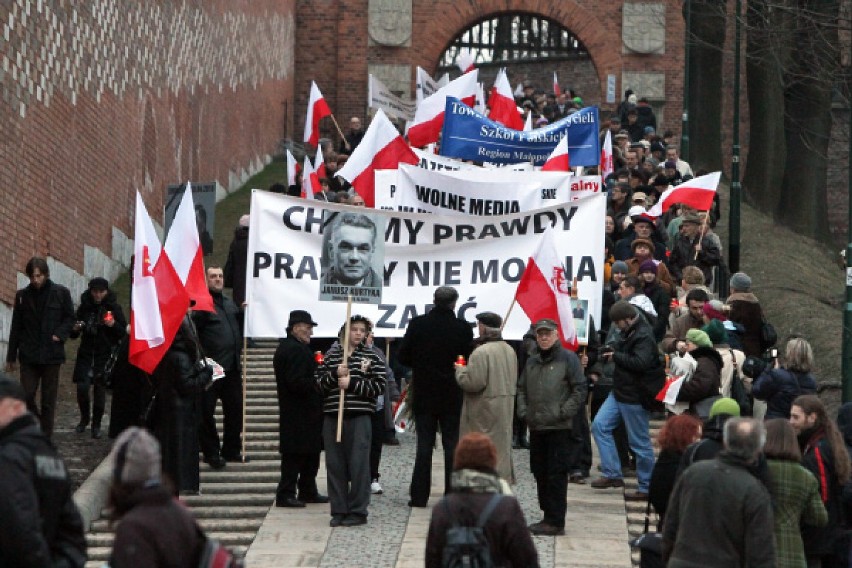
pixel 489 382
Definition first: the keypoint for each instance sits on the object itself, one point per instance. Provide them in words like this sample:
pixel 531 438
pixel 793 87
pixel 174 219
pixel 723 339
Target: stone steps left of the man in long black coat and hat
pixel 233 501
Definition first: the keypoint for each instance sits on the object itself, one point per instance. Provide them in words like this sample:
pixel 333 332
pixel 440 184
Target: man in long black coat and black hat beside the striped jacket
pixel 300 414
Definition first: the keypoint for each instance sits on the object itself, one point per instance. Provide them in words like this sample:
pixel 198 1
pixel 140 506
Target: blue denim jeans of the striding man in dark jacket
pixel 635 419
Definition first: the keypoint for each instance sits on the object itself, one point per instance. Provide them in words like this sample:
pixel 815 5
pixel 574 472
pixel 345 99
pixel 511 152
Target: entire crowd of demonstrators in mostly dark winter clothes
pixel 767 489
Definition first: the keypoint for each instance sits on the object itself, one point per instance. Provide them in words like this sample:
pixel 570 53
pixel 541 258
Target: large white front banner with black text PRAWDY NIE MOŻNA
pixel 482 257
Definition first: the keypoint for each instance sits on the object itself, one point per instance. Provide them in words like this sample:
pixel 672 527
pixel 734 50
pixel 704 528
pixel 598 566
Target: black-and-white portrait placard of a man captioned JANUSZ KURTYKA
pixel 353 256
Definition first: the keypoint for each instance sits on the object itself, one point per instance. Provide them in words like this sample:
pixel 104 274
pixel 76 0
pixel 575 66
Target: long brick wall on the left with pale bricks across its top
pixel 103 98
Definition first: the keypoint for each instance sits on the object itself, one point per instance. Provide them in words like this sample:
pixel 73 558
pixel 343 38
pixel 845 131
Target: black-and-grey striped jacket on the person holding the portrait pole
pixel 367 372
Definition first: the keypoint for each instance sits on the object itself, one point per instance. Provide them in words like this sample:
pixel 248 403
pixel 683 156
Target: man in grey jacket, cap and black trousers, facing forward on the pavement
pixel 551 391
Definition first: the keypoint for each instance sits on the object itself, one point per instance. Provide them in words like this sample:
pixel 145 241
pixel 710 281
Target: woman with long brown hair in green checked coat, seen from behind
pixel 795 493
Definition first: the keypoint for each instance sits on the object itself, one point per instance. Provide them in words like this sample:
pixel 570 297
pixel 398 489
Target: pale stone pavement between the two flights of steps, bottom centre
pixel 395 536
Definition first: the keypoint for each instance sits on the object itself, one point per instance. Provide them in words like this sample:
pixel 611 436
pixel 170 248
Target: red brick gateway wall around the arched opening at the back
pixel 339 61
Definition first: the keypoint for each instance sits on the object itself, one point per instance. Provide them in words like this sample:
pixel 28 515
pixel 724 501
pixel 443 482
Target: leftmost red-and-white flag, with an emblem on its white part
pixel 158 299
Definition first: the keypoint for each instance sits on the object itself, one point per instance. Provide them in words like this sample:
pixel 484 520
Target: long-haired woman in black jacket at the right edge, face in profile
pixel 824 455
